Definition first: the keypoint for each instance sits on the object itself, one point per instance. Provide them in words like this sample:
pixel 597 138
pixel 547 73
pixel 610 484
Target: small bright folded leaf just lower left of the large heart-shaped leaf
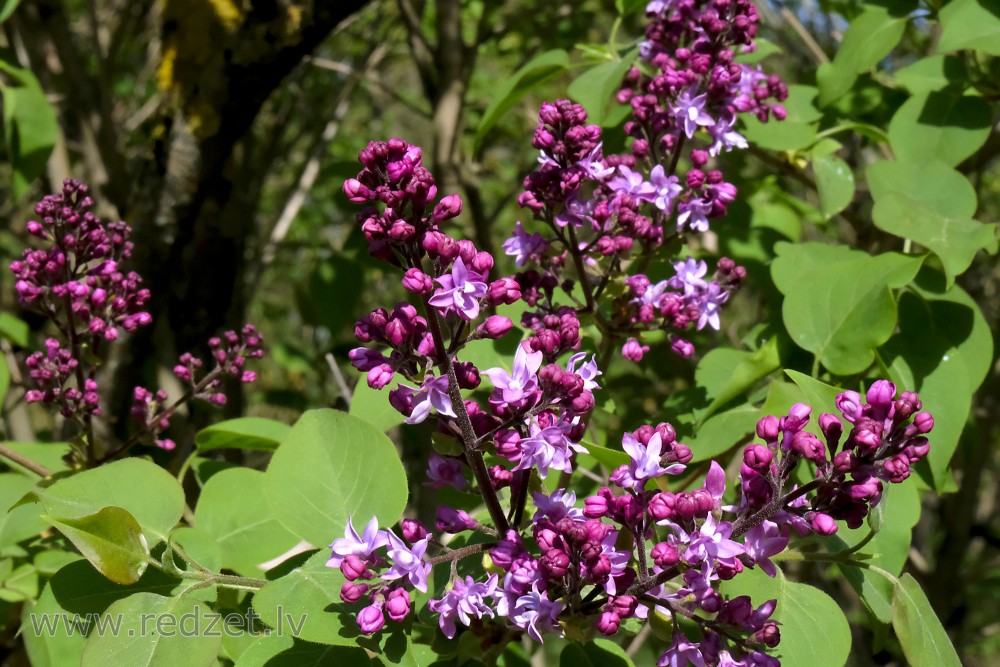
pixel 736 374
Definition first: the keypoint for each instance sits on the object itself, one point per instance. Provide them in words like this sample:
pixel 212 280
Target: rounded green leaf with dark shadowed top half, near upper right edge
pixel 940 125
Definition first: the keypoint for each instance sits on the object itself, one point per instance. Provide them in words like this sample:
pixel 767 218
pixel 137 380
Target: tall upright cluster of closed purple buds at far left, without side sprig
pixel 76 281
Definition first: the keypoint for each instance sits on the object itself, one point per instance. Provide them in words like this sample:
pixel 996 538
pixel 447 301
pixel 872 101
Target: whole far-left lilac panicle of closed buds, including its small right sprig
pixel 78 283
